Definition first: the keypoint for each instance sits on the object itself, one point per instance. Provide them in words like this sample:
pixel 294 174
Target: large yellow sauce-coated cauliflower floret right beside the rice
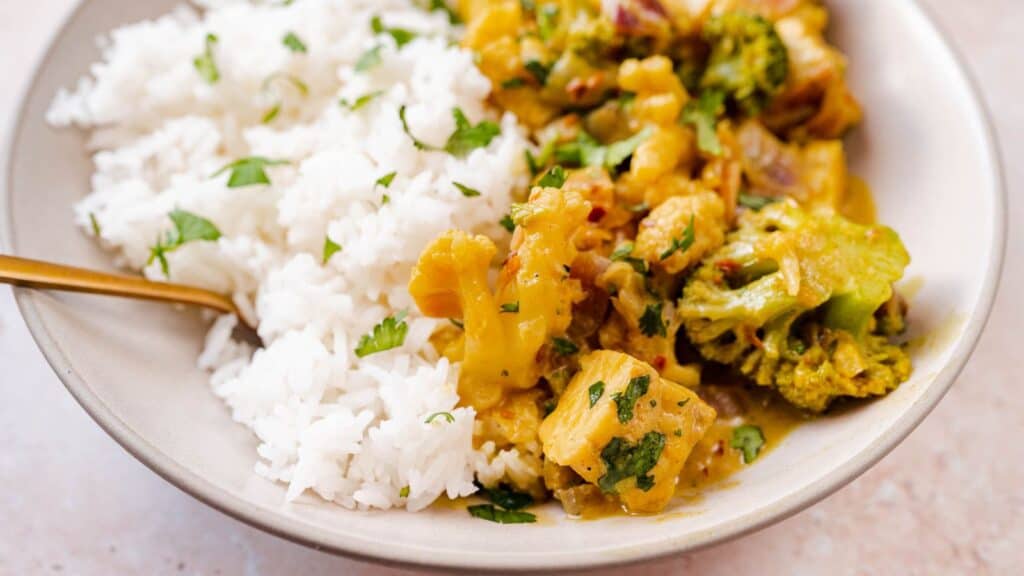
pixel 532 304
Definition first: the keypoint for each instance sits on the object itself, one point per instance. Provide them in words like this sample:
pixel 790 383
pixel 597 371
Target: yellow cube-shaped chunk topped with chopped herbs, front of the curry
pixel 624 429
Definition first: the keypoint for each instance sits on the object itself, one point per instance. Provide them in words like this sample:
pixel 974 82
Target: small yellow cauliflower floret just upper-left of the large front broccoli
pixel 666 228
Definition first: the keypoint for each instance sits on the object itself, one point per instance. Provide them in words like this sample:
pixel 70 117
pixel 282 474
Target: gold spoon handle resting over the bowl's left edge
pixel 35 274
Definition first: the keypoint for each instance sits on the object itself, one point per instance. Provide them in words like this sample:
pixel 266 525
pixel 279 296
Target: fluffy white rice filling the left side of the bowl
pixel 351 430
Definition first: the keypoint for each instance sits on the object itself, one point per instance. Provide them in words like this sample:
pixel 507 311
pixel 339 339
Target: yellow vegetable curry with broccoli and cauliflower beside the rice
pixel 692 215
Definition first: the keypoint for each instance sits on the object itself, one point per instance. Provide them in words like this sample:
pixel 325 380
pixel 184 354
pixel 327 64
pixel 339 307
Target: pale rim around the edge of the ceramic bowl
pixel 296 531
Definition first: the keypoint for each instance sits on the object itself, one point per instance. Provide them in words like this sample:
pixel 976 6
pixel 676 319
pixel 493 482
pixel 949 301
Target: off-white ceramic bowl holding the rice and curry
pixel 926 148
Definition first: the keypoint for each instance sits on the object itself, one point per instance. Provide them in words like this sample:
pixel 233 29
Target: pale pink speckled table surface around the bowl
pixel 949 501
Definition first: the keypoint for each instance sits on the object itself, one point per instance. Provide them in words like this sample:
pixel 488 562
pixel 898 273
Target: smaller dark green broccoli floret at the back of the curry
pixel 749 61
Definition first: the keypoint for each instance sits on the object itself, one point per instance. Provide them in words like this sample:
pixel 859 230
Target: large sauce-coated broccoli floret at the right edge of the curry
pixel 791 300
